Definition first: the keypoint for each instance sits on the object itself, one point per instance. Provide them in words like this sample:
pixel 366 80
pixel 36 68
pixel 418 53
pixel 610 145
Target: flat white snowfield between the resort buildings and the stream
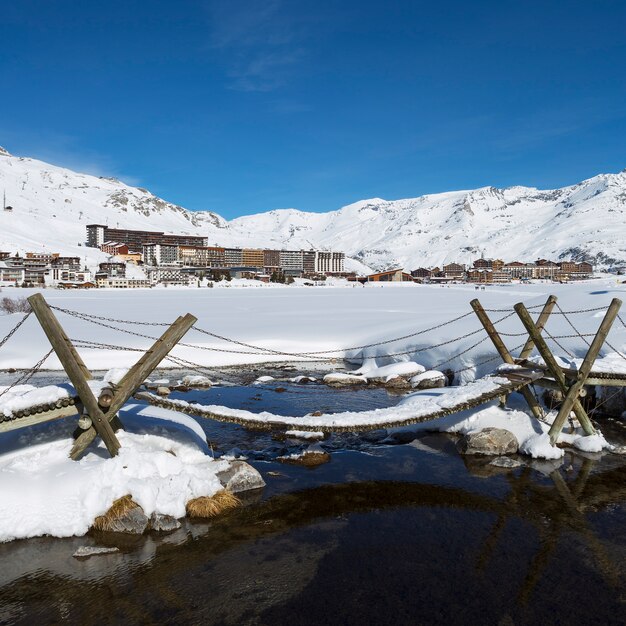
pixel 300 319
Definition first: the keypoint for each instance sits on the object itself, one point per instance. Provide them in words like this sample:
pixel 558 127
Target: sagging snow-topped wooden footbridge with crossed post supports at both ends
pixel 98 404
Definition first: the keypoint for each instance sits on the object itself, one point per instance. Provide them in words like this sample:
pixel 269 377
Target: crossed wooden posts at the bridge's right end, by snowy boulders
pixel 562 380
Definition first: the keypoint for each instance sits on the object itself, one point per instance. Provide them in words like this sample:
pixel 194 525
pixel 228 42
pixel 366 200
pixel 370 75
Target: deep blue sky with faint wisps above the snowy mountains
pixel 239 106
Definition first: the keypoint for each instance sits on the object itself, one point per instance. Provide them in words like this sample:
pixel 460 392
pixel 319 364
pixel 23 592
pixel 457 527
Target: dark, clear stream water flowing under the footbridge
pixel 394 529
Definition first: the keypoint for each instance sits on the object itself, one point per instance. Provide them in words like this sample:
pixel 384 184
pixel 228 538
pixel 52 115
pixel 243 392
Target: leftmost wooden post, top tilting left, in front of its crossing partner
pixel 75 369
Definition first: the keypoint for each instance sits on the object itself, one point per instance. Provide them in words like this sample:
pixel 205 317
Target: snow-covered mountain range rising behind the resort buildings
pixel 52 206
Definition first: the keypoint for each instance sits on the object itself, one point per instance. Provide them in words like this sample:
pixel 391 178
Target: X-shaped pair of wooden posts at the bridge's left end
pixel 100 414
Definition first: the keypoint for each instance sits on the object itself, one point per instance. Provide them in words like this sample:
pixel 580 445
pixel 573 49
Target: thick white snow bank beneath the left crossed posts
pixel 45 493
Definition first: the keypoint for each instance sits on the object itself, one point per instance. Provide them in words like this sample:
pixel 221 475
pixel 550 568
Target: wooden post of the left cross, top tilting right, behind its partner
pixel 135 376
